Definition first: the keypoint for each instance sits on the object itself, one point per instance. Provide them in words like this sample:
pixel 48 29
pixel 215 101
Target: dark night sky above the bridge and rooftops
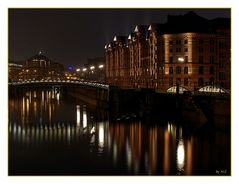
pixel 70 36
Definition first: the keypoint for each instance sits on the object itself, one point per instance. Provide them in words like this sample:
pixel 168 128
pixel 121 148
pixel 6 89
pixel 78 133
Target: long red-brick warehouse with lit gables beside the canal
pixel 188 49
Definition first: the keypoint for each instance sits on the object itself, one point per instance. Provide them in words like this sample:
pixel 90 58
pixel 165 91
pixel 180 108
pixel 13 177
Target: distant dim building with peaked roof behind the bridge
pixel 40 67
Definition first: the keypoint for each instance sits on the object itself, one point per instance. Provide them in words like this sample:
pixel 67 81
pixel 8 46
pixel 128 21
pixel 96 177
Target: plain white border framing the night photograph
pixel 5 4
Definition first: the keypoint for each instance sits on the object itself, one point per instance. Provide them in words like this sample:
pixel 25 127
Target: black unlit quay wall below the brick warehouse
pixel 197 108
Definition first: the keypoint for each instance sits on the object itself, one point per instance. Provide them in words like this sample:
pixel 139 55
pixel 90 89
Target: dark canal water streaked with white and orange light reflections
pixel 51 133
